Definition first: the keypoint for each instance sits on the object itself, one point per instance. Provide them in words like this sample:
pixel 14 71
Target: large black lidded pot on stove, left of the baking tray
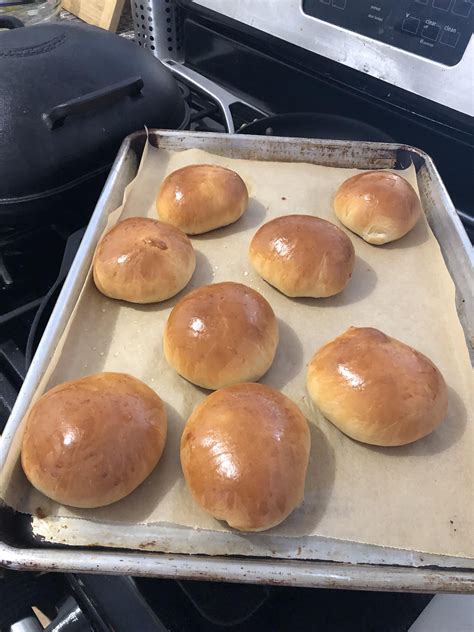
pixel 69 94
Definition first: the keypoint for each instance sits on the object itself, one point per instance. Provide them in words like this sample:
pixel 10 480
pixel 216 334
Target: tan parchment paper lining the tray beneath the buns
pixel 418 497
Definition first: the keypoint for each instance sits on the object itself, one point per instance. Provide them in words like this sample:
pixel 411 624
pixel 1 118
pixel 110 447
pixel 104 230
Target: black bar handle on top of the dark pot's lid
pixel 92 101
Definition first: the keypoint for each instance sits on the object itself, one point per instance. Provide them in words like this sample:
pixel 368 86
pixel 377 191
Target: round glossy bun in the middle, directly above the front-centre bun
pixel 221 334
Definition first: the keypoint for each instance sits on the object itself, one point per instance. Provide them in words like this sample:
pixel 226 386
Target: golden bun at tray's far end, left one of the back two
pixel 200 198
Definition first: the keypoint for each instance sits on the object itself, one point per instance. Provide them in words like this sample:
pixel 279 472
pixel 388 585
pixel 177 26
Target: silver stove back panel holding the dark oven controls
pixel 410 44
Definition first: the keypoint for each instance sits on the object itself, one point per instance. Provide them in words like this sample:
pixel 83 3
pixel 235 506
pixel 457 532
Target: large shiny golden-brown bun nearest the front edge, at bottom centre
pixel 244 453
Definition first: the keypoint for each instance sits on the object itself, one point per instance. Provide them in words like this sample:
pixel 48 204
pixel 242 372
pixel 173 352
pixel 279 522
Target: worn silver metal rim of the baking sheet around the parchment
pixel 459 258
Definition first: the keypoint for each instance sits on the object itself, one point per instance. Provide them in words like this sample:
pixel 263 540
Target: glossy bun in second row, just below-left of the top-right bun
pixel 302 255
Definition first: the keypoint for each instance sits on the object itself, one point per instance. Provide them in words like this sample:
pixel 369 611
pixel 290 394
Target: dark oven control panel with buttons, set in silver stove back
pixel 437 29
